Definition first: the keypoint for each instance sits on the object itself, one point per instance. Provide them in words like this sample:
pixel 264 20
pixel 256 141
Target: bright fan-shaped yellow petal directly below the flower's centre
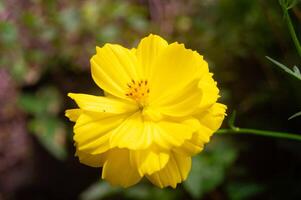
pixel 131 134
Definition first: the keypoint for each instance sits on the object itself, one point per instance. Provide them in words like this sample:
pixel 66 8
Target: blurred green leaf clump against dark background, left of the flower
pixel 44 105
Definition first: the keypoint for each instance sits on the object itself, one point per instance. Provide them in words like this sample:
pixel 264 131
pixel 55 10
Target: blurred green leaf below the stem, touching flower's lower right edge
pixel 209 168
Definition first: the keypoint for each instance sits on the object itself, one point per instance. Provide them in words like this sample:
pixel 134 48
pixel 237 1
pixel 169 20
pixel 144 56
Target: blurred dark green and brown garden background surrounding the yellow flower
pixel 45 47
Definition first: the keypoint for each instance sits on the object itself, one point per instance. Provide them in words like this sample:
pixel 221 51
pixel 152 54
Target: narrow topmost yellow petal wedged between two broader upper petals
pixel 148 51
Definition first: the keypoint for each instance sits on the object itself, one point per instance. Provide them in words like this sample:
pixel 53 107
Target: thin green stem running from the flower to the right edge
pixel 237 130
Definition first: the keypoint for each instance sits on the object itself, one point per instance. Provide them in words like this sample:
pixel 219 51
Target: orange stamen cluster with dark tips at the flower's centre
pixel 138 91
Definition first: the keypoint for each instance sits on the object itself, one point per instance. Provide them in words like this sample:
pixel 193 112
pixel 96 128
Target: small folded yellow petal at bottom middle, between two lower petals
pixel 150 160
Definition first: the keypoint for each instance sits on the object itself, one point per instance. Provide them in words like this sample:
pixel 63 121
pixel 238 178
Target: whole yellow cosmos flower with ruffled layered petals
pixel 159 109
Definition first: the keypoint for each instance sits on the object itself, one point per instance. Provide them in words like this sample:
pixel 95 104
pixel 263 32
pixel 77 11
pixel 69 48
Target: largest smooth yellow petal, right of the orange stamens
pixel 174 83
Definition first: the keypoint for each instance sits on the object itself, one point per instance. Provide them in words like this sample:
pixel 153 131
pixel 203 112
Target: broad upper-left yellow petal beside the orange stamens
pixel 113 67
